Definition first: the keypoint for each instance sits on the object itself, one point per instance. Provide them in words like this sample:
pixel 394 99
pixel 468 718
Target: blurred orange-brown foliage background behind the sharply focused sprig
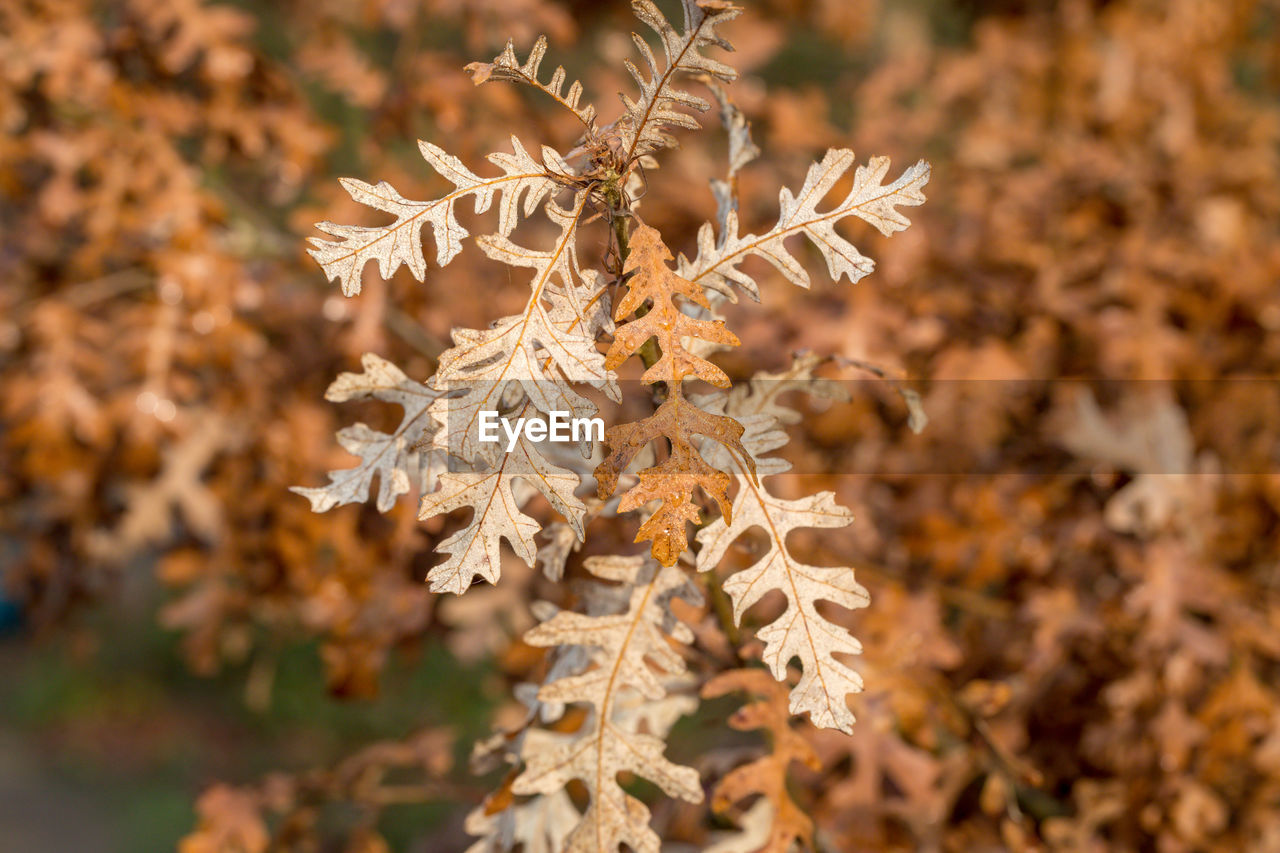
pixel 1075 633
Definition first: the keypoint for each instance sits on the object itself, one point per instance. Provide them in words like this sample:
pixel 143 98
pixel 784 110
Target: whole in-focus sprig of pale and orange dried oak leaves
pixel 525 366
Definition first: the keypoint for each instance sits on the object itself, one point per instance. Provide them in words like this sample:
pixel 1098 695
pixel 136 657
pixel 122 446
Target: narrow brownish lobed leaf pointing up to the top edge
pixel 643 127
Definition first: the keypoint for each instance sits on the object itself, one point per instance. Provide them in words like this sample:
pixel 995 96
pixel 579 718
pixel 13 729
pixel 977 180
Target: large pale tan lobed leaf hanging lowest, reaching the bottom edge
pixel 632 665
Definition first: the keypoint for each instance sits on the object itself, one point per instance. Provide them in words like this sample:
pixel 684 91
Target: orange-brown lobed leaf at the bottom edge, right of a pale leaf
pixel 785 824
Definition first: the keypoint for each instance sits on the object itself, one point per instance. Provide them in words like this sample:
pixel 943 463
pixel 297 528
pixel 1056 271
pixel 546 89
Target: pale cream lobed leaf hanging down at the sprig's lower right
pixel 801 632
